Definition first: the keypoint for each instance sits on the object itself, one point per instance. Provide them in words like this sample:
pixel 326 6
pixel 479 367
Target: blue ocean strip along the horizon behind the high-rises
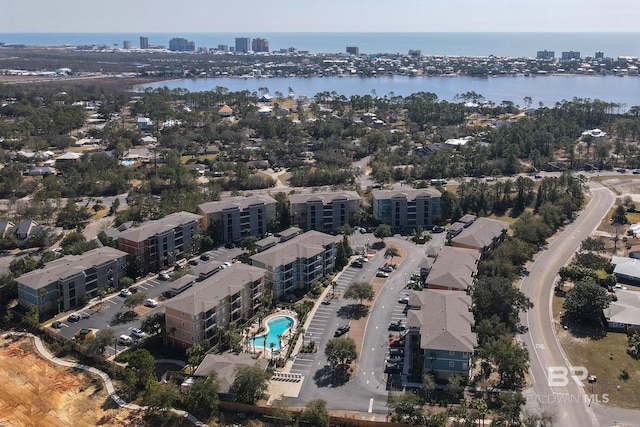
pixel 504 44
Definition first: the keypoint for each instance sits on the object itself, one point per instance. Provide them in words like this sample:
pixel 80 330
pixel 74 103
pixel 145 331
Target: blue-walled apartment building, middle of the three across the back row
pixel 324 211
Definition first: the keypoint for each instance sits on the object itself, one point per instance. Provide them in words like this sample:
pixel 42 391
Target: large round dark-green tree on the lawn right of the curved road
pixel 586 300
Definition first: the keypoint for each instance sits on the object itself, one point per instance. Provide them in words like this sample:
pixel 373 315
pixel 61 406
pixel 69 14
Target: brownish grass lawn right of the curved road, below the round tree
pixel 605 356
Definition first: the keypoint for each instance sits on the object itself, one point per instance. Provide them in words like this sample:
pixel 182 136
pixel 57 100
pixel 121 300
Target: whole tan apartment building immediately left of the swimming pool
pixel 201 312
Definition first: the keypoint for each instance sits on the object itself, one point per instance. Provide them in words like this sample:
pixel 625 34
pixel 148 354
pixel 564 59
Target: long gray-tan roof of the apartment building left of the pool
pixel 208 293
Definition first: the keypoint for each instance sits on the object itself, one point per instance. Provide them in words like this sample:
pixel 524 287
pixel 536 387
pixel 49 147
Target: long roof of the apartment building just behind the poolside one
pixel 306 245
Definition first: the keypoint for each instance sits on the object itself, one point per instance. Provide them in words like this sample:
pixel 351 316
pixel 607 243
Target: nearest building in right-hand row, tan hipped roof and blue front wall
pixel 440 328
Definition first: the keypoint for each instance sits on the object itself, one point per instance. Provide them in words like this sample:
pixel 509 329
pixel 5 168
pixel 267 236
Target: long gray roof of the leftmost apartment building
pixel 69 266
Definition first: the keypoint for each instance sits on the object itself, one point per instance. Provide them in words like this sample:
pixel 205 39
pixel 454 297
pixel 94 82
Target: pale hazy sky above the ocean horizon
pixel 217 16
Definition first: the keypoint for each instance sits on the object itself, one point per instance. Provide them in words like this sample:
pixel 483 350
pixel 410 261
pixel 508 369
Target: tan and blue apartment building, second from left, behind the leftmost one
pixel 158 244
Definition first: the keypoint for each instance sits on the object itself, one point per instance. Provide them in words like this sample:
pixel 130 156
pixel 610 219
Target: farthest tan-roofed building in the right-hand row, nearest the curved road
pixel 483 235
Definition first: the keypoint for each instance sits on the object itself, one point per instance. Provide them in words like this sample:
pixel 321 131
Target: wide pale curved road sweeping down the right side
pixel 568 402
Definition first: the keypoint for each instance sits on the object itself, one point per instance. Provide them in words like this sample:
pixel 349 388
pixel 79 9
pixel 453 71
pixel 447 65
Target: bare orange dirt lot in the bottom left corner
pixel 35 392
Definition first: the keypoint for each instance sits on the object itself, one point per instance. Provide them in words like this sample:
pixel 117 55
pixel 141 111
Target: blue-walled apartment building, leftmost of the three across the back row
pixel 238 217
